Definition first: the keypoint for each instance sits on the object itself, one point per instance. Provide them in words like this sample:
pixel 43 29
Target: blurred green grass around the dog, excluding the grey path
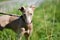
pixel 46 23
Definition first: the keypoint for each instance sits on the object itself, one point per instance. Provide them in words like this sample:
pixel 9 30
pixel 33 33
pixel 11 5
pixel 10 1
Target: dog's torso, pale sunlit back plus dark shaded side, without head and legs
pixel 13 22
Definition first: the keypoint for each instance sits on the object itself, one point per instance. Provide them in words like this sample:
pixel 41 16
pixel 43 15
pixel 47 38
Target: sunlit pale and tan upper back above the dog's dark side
pixel 6 19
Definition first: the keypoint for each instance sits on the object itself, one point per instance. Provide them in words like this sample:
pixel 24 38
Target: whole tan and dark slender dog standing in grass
pixel 22 24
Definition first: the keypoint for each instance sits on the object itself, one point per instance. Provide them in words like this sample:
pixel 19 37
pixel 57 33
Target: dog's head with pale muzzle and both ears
pixel 28 13
